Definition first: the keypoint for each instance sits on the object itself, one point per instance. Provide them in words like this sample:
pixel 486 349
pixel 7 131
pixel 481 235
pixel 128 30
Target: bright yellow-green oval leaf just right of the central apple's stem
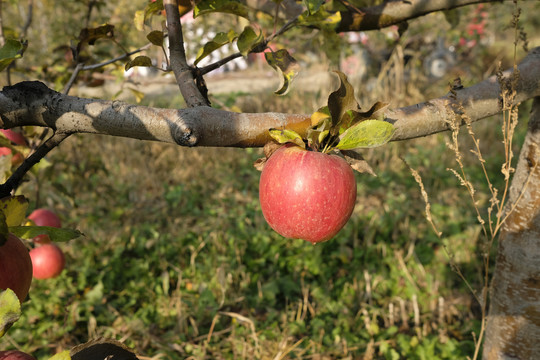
pixel 366 134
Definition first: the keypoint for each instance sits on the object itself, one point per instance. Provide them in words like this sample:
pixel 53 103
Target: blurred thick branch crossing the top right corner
pixel 394 12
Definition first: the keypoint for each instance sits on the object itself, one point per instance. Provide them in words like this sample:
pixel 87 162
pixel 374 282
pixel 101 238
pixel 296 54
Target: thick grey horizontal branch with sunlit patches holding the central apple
pixel 33 103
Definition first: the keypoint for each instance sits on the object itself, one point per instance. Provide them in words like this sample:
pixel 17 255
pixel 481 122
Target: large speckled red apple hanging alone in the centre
pixel 305 194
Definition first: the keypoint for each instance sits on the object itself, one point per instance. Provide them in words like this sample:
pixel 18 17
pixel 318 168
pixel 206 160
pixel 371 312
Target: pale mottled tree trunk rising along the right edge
pixel 513 327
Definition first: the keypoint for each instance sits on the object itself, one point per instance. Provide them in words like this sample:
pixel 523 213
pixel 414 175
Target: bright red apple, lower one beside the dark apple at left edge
pixel 47 260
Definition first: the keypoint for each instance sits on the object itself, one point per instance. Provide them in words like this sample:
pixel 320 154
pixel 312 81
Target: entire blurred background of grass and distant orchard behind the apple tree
pixel 178 261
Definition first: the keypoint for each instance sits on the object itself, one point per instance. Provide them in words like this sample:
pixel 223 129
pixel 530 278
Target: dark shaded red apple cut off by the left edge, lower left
pixel 15 267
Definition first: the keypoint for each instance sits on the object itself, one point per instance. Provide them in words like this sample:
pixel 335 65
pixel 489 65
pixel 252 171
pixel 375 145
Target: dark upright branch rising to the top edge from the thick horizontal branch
pixel 182 72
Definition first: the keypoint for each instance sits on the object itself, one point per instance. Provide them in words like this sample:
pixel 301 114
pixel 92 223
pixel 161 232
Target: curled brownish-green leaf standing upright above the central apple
pixel 340 102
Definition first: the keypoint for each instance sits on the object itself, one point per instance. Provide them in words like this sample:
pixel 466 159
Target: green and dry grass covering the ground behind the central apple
pixel 178 262
